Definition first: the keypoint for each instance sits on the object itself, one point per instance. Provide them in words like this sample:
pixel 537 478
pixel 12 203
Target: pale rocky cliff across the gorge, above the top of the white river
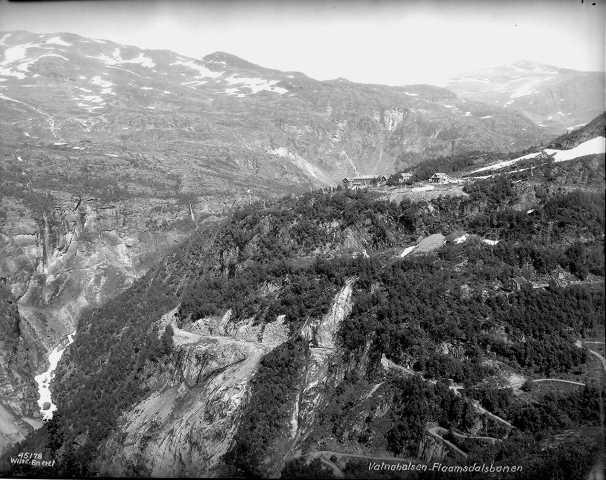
pixel 65 260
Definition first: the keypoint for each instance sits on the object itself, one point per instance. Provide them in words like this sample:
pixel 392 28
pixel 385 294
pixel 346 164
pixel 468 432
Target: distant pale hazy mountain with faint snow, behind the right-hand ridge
pixel 556 99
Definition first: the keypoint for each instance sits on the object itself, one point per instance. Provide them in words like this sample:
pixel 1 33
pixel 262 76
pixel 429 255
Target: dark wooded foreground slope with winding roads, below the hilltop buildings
pixel 295 338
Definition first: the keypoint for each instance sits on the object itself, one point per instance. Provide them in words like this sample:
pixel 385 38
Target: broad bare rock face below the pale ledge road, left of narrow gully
pixel 185 427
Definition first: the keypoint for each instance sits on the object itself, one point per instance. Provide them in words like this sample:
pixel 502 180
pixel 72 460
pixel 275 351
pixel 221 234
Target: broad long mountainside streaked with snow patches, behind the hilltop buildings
pixel 221 122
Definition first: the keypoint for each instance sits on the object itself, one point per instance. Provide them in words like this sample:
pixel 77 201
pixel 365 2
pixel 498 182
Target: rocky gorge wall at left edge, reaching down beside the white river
pixel 54 263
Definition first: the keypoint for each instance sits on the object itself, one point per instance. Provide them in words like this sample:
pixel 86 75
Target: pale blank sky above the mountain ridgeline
pixel 365 41
